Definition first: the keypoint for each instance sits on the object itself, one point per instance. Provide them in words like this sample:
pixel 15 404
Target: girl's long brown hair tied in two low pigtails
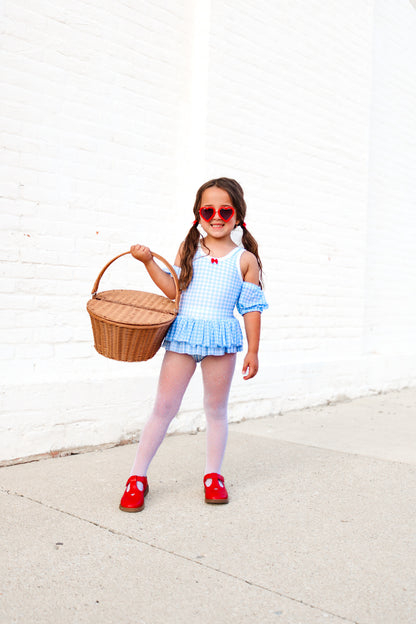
pixel 193 237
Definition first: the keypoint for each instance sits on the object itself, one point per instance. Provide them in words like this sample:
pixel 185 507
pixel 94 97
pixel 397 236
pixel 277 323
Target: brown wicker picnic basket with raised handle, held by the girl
pixel 129 325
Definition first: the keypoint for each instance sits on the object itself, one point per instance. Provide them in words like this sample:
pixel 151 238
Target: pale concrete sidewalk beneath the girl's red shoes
pixel 320 527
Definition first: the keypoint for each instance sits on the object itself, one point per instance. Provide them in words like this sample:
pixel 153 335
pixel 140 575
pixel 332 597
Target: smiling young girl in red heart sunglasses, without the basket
pixel 215 275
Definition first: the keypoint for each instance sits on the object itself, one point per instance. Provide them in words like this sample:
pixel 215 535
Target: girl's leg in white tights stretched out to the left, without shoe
pixel 175 374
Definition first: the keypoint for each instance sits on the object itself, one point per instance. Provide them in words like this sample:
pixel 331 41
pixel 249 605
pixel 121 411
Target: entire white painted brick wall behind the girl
pixel 112 114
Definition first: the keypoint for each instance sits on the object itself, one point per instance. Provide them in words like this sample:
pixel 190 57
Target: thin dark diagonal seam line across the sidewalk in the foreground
pixel 183 557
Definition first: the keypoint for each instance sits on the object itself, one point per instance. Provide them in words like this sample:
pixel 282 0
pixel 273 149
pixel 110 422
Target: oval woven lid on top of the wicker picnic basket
pixel 132 307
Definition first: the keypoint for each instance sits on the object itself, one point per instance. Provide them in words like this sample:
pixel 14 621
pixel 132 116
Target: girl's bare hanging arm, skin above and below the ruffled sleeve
pixel 252 320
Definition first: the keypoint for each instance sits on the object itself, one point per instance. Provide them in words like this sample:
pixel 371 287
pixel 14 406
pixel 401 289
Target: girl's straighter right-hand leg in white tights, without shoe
pixel 217 374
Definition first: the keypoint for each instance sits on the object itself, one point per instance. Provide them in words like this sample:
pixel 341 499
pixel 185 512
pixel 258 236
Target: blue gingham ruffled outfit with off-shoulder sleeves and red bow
pixel 205 324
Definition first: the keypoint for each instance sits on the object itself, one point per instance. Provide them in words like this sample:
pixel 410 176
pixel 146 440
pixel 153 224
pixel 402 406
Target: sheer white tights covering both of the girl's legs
pixel 175 375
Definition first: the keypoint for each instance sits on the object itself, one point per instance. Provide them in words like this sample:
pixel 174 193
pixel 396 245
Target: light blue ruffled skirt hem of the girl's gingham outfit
pixel 223 335
